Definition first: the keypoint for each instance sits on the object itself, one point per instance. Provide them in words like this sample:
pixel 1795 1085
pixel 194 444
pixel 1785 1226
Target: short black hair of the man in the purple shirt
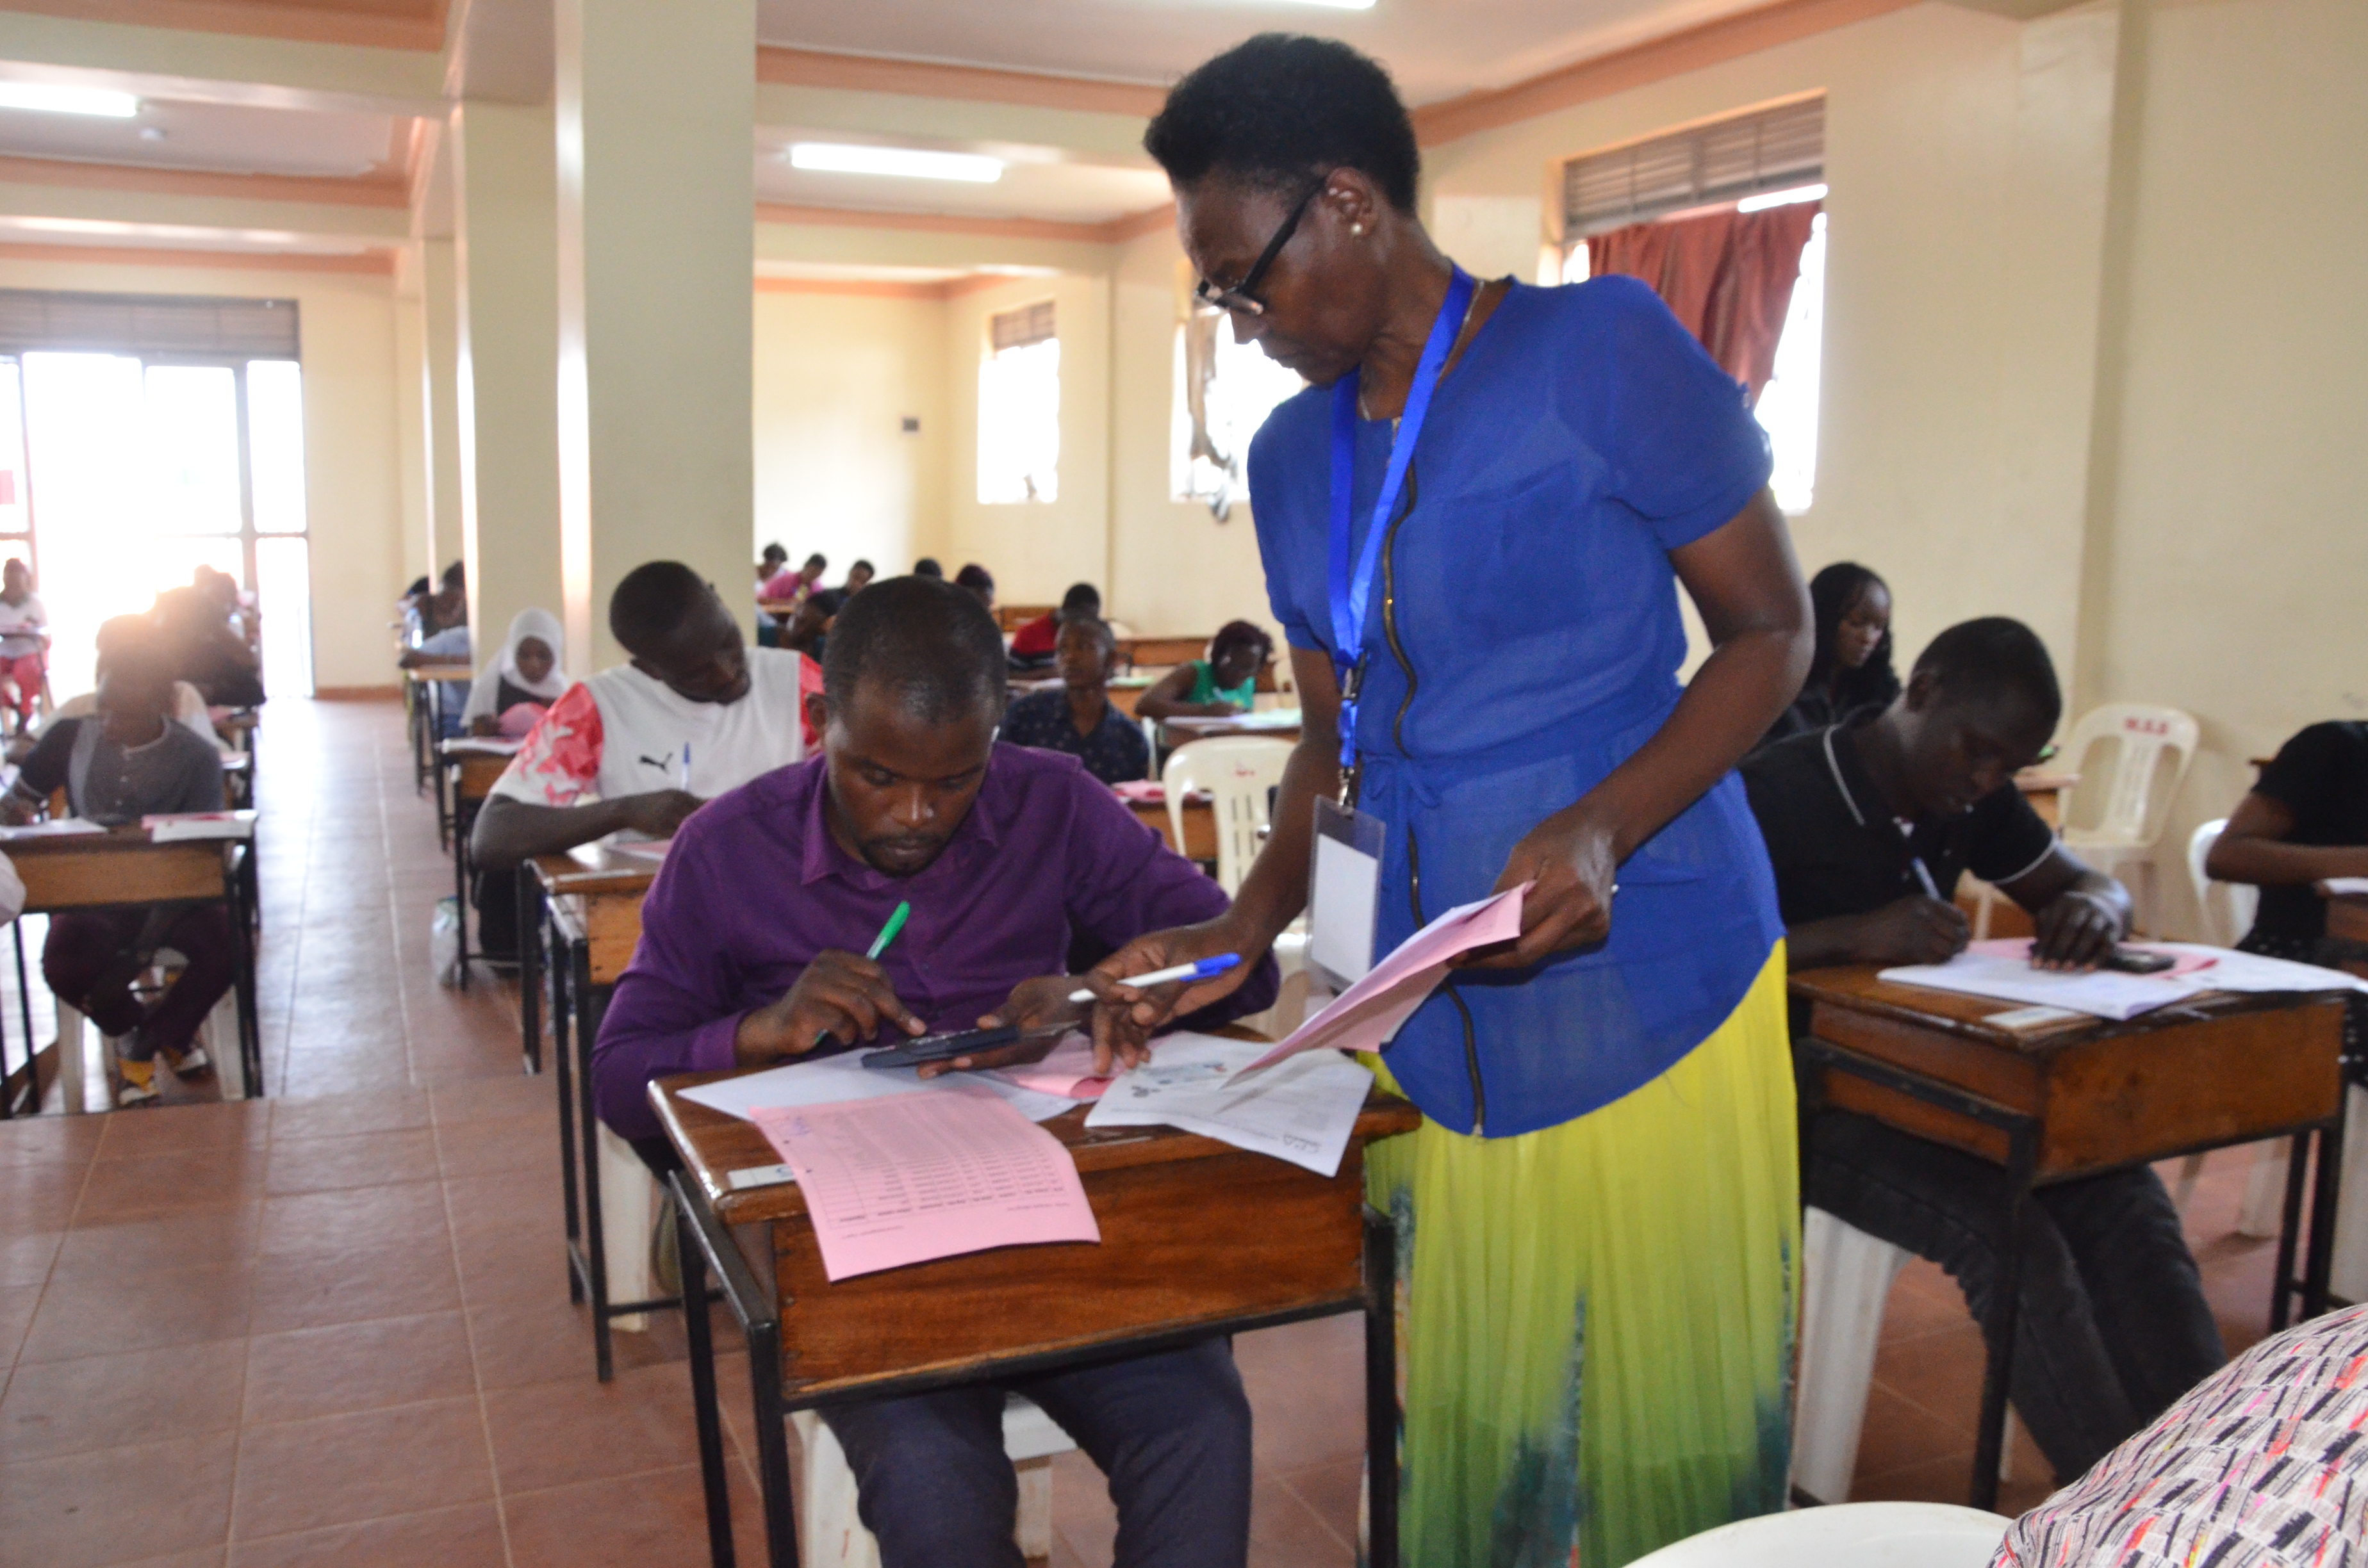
pixel 932 643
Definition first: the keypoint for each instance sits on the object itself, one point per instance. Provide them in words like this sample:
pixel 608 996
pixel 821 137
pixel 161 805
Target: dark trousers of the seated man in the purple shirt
pixel 1171 1432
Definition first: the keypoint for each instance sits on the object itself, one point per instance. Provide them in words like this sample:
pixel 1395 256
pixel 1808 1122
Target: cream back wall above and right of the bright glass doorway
pixel 354 496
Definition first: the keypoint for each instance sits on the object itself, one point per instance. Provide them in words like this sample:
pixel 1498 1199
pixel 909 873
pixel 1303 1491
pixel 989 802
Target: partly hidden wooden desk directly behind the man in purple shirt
pixel 588 908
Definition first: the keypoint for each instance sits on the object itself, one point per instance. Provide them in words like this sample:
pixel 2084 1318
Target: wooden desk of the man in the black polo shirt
pixel 2078 1100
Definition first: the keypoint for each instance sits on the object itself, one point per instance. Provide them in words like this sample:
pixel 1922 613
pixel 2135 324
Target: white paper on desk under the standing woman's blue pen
pixel 1301 1112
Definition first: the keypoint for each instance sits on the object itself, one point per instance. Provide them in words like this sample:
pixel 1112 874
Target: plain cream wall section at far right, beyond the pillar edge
pixel 2229 558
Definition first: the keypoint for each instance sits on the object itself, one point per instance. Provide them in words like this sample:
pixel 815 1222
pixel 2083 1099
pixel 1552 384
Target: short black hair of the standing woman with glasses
pixel 1285 110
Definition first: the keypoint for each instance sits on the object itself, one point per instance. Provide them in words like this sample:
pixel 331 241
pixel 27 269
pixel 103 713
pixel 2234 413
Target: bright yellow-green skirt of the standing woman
pixel 1597 1318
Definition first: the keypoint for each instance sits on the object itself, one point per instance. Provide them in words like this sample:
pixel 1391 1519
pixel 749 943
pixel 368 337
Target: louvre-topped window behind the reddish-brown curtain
pixel 1746 165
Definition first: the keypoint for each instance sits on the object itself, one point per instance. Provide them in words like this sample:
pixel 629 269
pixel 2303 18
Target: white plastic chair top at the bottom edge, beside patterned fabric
pixel 1853 1536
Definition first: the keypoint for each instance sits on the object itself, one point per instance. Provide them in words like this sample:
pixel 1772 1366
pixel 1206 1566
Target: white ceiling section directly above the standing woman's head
pixel 1434 49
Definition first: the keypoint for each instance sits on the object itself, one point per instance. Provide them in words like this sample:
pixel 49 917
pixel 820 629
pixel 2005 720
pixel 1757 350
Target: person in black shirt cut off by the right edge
pixel 2305 821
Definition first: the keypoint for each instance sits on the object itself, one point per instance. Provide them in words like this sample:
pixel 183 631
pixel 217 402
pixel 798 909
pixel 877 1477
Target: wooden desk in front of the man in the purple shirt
pixel 1178 1261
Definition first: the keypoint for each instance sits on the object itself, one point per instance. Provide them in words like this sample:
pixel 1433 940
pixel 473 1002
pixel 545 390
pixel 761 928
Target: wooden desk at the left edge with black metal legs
pixel 127 868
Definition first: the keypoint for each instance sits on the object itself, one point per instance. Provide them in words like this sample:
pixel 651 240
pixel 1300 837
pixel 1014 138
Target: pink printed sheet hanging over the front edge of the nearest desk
pixel 927 1176
